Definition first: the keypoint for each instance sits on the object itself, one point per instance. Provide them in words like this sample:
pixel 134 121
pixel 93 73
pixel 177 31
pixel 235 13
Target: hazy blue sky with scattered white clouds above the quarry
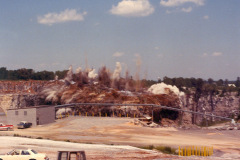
pixel 174 38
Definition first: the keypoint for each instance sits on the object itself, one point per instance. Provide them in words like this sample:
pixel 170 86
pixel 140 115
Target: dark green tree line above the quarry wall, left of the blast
pixel 27 74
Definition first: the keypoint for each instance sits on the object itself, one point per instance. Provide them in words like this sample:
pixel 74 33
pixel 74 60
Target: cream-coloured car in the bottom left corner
pixel 28 154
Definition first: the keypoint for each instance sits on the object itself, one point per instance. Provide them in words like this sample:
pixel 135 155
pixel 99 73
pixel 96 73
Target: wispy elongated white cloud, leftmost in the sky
pixel 65 16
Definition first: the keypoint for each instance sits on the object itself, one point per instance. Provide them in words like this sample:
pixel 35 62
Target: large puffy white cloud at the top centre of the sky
pixel 132 8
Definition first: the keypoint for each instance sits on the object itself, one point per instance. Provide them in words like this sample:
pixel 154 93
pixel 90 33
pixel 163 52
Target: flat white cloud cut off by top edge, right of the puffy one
pixel 174 3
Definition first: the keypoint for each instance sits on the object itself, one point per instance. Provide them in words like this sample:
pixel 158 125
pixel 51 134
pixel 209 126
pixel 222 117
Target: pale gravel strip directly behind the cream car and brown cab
pixel 93 151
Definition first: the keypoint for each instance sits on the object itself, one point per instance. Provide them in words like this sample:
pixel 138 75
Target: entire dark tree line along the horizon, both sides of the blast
pixel 182 83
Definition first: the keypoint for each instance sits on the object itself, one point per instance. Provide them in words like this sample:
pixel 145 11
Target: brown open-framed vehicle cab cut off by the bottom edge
pixel 71 155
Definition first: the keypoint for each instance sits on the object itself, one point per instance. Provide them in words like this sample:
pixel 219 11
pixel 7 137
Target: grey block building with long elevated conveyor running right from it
pixel 44 114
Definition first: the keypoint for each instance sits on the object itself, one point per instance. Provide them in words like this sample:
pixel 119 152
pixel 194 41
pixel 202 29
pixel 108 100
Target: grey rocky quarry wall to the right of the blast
pixel 225 106
